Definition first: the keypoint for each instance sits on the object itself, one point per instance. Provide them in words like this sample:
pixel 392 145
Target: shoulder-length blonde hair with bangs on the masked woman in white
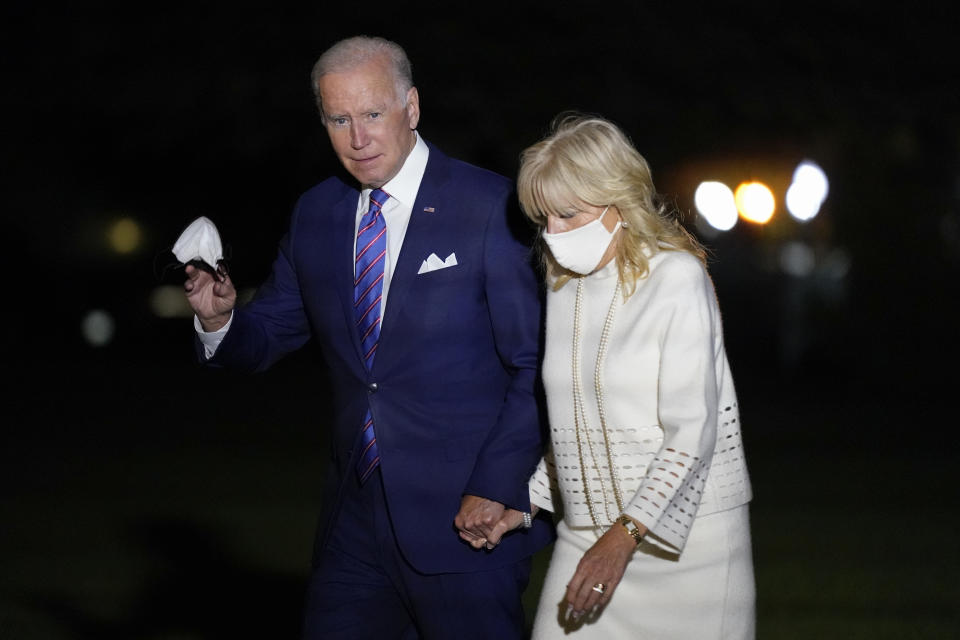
pixel 589 159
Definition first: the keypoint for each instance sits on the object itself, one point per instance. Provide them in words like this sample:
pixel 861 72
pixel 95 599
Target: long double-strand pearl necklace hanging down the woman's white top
pixel 581 426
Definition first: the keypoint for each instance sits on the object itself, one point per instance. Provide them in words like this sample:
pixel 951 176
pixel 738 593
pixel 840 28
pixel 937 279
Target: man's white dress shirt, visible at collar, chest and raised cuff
pixel 396 211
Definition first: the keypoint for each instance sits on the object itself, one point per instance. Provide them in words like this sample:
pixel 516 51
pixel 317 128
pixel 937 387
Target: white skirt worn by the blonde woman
pixel 704 593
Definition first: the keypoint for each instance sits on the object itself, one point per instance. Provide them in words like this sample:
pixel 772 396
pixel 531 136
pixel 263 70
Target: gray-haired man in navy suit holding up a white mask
pixel 435 425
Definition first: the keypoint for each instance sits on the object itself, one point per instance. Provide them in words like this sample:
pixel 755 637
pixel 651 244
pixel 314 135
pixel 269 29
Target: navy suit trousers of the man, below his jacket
pixel 362 587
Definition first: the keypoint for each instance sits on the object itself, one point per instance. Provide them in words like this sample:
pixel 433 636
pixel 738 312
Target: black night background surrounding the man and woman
pixel 143 497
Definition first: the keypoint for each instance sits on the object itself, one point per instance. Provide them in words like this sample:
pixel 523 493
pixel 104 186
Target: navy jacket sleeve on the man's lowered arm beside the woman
pixel 515 444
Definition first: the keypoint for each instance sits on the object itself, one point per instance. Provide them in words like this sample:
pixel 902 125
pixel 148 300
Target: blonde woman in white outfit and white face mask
pixel 646 462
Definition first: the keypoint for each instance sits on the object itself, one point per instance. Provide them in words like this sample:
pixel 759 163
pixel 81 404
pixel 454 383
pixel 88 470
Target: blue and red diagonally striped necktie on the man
pixel 368 291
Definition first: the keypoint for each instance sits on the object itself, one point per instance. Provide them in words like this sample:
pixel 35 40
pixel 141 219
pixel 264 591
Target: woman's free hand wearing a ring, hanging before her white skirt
pixel 603 563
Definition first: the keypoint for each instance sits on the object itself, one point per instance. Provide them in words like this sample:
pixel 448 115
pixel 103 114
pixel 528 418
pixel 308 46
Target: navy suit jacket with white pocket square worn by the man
pixel 452 387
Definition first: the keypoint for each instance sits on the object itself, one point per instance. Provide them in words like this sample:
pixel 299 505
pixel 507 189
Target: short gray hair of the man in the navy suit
pixel 350 53
